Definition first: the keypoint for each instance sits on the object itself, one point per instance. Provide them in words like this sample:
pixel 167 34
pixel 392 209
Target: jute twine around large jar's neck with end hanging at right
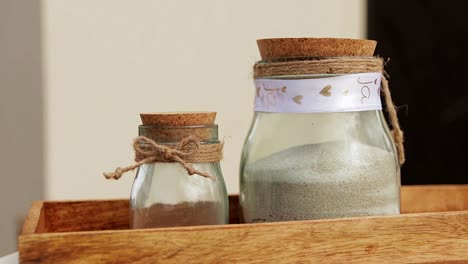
pixel 338 65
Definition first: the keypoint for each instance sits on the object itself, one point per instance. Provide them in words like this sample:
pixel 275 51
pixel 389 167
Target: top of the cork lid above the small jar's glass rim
pixel 178 118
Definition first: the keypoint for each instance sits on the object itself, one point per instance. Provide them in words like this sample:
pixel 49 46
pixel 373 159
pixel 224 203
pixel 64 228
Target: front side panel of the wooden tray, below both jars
pixel 411 238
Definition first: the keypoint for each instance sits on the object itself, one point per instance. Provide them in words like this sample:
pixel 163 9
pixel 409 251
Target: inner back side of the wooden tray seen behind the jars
pixel 67 216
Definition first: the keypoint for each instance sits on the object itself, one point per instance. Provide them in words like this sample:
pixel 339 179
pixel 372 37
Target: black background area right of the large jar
pixel 427 43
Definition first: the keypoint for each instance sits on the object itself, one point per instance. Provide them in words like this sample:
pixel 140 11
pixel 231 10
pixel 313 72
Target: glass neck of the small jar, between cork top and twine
pixel 174 134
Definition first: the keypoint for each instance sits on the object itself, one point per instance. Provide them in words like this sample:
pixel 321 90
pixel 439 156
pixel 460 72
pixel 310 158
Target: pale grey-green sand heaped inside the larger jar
pixel 328 180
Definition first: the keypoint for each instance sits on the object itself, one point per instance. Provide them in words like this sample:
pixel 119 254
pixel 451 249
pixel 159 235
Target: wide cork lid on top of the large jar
pixel 277 48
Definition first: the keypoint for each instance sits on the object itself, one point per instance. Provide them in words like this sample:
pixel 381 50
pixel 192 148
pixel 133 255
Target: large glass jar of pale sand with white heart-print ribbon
pixel 324 162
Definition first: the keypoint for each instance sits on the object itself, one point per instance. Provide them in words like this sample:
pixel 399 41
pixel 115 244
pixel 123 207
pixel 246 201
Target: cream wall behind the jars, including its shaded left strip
pixel 75 74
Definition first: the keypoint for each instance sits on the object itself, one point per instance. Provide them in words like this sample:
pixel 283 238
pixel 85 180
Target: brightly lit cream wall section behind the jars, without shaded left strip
pixel 106 61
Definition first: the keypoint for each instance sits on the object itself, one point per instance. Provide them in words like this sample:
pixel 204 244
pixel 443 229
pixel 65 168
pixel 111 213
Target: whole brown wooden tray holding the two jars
pixel 433 229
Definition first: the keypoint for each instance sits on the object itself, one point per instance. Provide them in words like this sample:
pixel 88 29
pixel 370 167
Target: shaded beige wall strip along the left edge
pixel 21 116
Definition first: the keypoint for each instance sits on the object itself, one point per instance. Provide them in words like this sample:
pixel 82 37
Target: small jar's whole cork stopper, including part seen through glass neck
pixel 175 126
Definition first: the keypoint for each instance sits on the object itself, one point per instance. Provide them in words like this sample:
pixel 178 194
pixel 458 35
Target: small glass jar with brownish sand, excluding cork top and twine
pixel 164 195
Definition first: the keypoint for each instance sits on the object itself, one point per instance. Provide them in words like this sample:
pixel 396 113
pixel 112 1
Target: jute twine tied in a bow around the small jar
pixel 189 150
